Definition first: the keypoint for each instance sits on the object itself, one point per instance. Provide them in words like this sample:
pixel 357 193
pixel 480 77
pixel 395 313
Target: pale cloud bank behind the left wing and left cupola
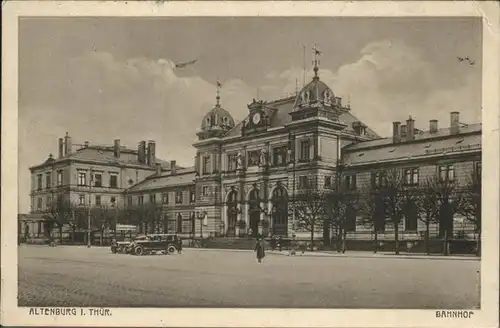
pixel 97 97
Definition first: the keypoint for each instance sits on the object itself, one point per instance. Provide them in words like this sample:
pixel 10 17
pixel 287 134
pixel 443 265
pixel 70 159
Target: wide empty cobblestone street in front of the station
pixel 77 276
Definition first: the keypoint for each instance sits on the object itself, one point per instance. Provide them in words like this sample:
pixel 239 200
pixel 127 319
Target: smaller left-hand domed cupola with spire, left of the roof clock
pixel 217 122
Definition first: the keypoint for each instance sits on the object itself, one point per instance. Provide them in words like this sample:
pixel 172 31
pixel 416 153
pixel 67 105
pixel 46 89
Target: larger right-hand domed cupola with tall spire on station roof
pixel 316 99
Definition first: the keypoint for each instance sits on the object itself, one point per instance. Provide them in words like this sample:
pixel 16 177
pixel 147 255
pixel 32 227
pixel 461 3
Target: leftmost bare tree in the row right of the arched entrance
pixel 311 208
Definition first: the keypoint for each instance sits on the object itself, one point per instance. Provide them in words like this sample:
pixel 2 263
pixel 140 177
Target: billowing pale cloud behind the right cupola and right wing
pixel 390 81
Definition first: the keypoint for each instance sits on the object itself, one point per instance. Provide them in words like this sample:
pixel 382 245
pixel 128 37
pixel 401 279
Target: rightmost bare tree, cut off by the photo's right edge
pixel 470 206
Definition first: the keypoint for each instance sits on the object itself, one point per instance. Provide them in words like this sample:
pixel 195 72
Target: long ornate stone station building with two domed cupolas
pixel 246 175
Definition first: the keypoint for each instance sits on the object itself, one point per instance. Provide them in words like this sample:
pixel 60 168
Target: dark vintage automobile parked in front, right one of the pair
pixel 165 243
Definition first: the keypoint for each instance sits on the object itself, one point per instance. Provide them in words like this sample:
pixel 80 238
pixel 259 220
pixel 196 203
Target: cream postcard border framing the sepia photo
pixel 203 317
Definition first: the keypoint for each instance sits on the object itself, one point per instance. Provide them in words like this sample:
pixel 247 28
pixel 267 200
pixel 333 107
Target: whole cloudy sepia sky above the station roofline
pixel 101 79
